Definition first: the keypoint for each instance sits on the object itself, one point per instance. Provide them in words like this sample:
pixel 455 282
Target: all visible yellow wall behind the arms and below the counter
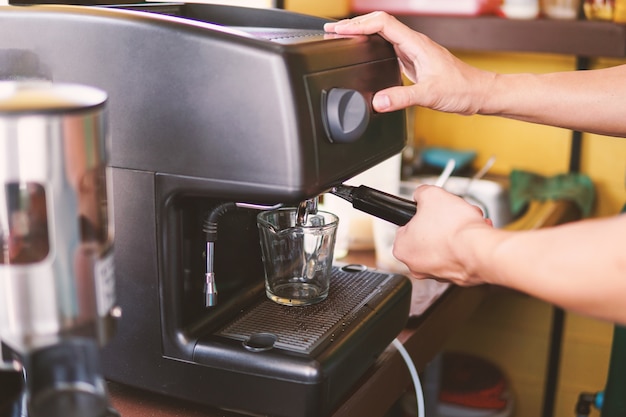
pixel 511 329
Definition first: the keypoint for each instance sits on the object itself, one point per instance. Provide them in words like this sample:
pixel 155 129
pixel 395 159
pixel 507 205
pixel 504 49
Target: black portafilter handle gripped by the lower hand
pixel 385 206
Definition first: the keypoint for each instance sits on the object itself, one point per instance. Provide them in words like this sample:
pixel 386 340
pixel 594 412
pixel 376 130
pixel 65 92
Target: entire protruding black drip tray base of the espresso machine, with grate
pixel 301 361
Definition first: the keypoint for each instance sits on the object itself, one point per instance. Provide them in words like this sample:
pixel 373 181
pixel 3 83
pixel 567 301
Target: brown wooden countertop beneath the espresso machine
pixel 377 391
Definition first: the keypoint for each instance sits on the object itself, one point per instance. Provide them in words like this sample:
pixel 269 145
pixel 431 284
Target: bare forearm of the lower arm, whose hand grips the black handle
pixel 579 266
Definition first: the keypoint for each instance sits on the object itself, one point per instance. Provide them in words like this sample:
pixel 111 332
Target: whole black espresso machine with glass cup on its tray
pixel 211 105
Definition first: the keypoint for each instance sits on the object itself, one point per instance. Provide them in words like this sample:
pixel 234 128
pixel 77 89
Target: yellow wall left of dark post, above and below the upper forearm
pixel 516 144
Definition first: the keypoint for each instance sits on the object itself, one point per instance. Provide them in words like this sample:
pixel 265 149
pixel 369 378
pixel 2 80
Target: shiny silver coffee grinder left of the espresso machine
pixel 57 284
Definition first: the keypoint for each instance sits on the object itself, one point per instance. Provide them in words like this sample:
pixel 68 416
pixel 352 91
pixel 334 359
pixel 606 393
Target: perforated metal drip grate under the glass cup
pixel 303 329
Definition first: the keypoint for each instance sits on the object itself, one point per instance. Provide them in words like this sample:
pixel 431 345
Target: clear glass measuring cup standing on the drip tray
pixel 297 258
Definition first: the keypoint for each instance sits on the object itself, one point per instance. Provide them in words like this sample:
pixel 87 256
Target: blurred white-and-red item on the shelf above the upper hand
pixel 429 7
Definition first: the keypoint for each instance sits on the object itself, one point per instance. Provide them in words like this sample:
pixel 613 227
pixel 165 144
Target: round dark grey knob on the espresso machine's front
pixel 345 113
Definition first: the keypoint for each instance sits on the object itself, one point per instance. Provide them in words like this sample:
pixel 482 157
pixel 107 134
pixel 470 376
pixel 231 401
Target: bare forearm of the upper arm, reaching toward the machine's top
pixel 590 101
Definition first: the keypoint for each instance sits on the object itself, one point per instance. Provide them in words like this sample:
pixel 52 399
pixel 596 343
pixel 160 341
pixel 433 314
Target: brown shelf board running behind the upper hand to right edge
pixel 581 38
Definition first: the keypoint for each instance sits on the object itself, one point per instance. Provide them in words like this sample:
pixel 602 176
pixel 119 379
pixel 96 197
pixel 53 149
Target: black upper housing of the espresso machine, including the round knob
pixel 253 103
